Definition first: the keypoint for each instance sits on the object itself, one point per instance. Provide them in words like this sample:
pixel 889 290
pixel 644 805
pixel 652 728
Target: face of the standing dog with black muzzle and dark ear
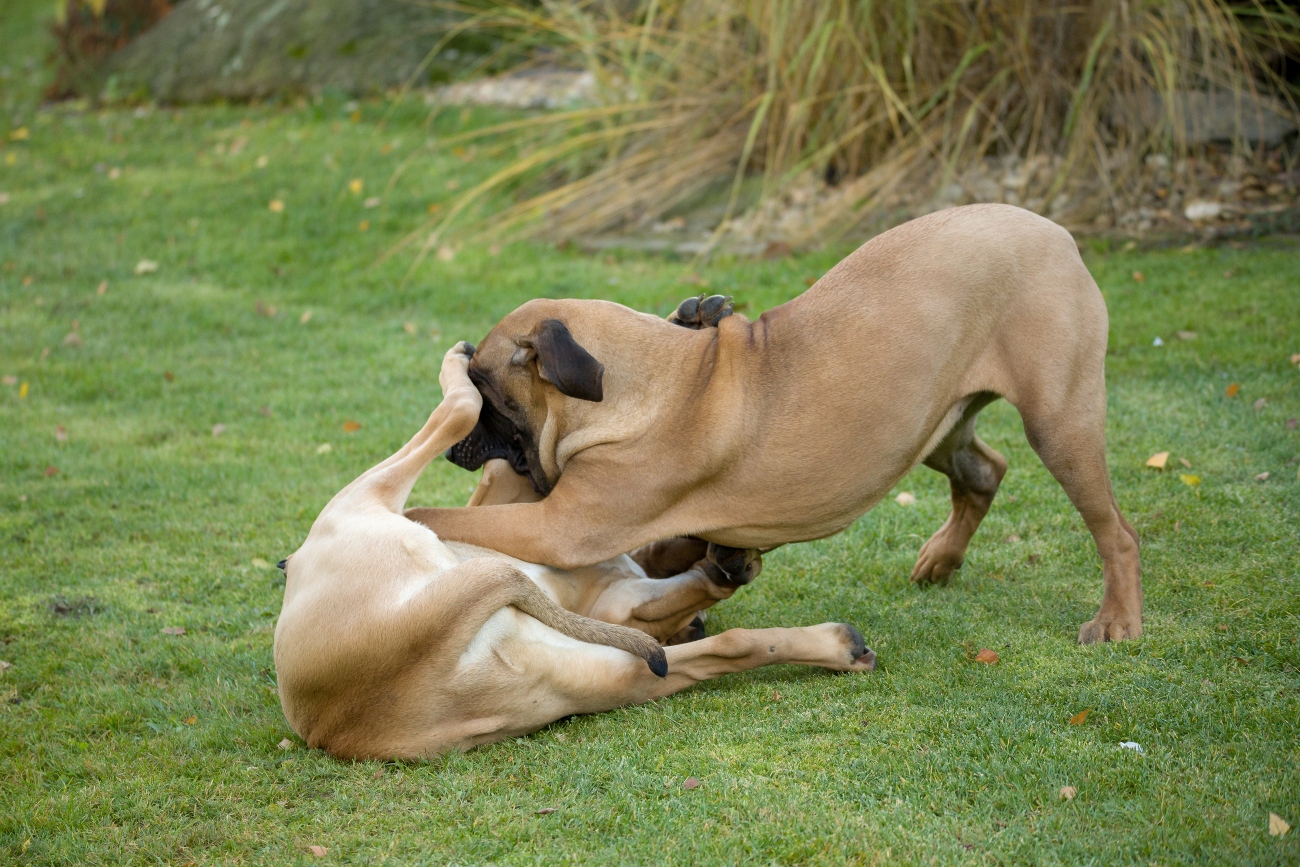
pixel 514 372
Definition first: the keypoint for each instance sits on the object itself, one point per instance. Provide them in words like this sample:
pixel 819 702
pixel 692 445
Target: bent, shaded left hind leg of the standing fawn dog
pixel 974 472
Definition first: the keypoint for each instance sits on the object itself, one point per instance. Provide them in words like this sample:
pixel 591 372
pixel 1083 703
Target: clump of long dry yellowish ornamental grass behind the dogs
pixel 805 119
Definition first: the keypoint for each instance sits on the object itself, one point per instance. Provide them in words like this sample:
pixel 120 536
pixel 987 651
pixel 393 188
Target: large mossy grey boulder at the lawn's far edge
pixel 242 50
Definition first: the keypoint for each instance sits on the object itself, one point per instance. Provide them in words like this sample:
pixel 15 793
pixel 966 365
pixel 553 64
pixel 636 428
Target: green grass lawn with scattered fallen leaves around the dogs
pixel 123 744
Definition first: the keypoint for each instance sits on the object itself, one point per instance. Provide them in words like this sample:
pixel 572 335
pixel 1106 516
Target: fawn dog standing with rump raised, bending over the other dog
pixel 788 428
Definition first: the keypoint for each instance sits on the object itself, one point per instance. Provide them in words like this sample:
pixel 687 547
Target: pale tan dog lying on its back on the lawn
pixel 395 644
